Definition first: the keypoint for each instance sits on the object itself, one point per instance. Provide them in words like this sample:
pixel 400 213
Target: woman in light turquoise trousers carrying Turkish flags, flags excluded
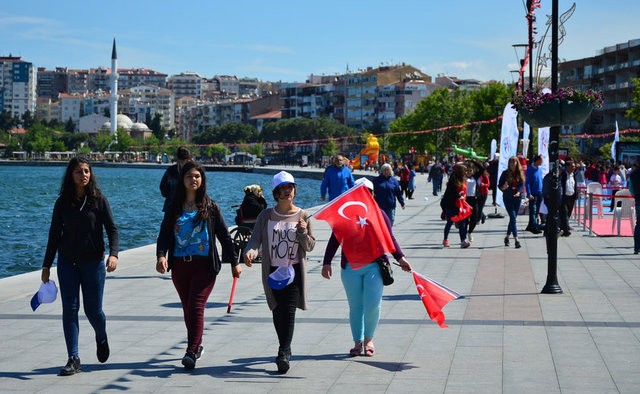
pixel 363 285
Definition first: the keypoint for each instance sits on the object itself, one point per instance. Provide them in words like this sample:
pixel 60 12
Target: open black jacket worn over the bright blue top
pixel 217 229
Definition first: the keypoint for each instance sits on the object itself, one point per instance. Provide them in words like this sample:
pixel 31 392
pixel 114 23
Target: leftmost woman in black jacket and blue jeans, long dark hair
pixel 79 216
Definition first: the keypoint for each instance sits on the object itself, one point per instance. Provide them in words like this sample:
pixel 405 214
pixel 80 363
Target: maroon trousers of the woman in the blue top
pixel 194 282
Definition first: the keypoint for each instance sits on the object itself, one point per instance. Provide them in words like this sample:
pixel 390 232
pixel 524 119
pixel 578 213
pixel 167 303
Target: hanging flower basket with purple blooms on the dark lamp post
pixel 564 107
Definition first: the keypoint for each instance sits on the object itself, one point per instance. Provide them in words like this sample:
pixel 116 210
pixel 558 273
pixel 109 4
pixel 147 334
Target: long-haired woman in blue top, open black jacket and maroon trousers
pixel 186 246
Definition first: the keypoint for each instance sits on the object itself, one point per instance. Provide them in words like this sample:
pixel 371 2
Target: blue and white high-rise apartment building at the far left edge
pixel 17 85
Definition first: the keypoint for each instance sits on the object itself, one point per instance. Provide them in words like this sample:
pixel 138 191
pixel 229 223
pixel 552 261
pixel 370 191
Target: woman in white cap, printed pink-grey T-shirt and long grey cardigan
pixel 283 233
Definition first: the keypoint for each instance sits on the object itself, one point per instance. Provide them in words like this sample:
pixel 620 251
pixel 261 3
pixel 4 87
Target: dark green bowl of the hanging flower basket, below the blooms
pixel 558 113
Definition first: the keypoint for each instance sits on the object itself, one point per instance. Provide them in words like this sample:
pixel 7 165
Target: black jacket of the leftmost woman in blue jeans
pixel 76 234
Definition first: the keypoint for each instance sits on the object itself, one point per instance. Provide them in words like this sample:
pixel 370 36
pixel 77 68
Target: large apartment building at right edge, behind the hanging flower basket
pixel 611 71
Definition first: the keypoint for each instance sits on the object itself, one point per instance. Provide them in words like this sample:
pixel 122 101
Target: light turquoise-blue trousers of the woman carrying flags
pixel 364 294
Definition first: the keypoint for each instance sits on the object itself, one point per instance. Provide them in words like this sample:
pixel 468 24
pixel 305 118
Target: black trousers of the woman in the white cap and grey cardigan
pixel 284 314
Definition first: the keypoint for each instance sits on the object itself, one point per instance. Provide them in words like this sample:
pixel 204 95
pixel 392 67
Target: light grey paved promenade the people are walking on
pixel 503 336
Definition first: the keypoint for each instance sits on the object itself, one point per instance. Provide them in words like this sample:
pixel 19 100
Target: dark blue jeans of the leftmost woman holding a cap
pixel 90 278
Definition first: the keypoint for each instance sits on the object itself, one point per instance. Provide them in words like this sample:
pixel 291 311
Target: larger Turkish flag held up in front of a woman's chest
pixel 358 225
